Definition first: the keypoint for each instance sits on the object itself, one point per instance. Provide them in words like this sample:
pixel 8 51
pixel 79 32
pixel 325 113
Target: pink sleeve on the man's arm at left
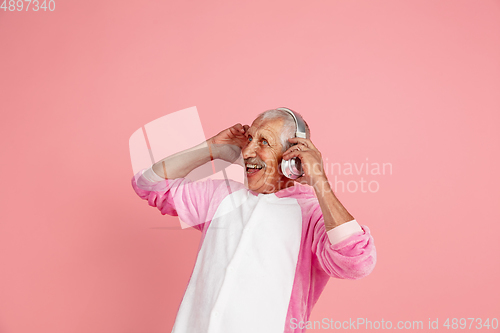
pixel 194 202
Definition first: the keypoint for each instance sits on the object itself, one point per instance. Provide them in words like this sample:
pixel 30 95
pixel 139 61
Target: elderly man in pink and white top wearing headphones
pixel 268 247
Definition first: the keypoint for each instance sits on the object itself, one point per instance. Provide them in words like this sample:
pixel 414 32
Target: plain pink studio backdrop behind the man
pixel 411 83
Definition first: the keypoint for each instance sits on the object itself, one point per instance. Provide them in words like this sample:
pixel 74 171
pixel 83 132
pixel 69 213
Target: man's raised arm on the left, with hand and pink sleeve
pixel 194 202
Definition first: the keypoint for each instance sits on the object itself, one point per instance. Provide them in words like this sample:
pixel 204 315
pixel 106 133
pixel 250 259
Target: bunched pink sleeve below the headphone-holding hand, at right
pixel 351 258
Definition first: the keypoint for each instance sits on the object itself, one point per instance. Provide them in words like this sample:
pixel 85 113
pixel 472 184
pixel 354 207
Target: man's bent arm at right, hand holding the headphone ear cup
pixel 343 248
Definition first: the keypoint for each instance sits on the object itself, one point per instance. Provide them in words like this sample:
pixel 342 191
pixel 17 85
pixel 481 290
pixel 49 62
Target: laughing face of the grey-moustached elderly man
pixel 264 149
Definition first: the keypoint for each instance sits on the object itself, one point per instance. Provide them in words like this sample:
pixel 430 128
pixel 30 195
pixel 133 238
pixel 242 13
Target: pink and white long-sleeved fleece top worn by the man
pixel 263 259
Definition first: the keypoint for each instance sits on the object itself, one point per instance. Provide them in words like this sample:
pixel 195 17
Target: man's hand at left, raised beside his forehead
pixel 227 144
